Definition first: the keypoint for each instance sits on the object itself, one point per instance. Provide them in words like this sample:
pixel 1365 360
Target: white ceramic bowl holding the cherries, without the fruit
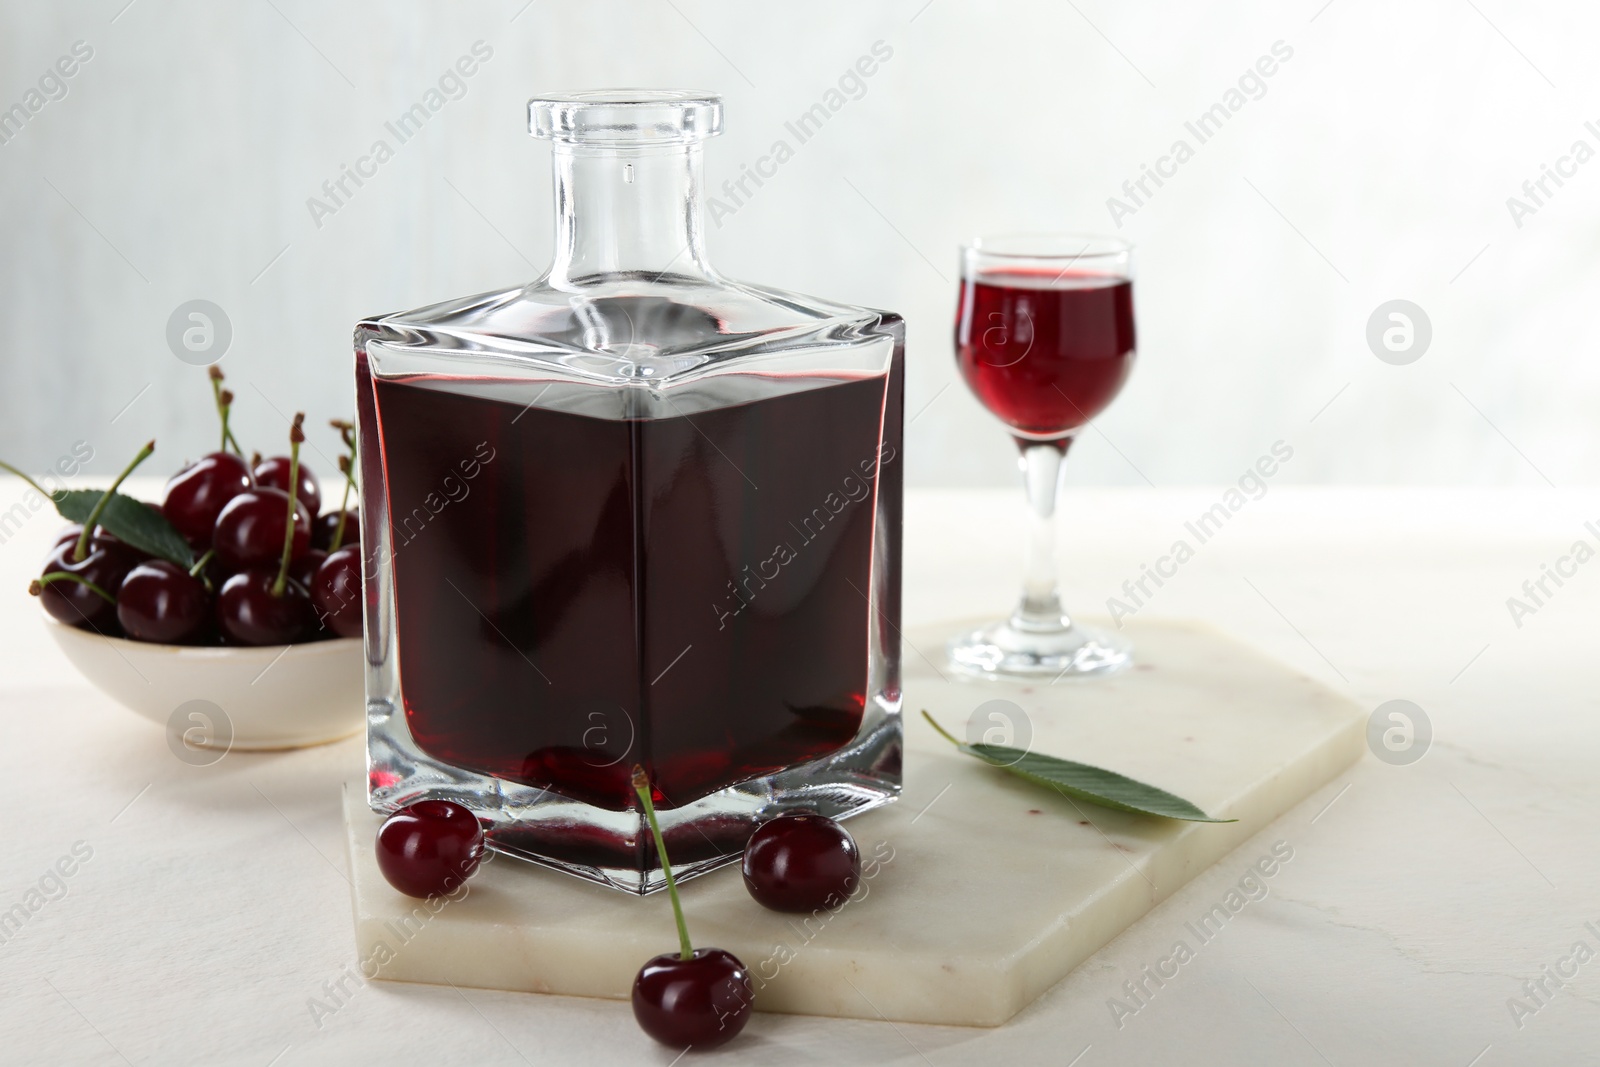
pixel 282 697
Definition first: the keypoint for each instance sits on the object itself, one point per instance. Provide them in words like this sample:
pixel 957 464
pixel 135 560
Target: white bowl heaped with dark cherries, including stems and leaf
pixel 231 591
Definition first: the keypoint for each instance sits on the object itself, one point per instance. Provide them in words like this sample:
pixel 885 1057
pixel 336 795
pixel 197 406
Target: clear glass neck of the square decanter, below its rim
pixel 628 212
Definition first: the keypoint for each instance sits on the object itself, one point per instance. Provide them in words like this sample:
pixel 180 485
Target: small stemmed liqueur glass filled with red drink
pixel 1044 337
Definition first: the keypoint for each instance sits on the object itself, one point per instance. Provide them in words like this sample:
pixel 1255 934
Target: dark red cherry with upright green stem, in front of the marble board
pixel 703 1001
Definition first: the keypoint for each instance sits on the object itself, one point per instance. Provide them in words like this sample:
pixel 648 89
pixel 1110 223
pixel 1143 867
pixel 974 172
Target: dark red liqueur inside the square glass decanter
pixel 614 591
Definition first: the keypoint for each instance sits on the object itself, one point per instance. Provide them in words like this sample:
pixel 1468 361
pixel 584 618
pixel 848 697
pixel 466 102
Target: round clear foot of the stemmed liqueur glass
pixel 1006 652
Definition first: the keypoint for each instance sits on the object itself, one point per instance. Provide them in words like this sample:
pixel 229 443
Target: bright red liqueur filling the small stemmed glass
pixel 1046 353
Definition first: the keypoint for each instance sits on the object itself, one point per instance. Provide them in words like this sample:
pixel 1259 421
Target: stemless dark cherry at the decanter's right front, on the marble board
pixel 801 863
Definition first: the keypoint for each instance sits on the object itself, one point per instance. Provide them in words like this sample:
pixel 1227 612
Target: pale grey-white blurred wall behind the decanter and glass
pixel 1377 167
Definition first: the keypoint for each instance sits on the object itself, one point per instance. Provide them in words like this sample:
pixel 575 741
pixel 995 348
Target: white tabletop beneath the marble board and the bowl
pixel 1418 903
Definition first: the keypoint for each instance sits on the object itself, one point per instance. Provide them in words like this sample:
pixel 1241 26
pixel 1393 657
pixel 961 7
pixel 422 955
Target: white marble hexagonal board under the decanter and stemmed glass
pixel 986 892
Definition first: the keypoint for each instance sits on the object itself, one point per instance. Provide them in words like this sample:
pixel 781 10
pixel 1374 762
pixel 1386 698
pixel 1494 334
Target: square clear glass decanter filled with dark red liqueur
pixel 631 513
